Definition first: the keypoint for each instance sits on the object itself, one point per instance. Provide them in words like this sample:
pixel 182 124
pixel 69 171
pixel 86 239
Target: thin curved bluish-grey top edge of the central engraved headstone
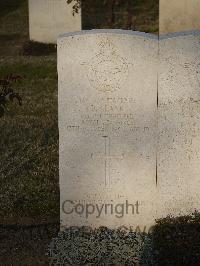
pixel 108 31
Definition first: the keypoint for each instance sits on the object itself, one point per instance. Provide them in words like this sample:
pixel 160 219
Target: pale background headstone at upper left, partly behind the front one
pixel 50 18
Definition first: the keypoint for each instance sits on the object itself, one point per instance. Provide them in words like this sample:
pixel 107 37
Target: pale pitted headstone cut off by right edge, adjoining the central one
pixel 179 124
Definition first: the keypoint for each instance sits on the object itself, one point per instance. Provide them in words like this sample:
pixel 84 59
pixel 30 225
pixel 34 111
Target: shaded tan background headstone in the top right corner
pixel 179 15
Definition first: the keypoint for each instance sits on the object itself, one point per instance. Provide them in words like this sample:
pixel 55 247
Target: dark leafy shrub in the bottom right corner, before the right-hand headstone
pixel 176 240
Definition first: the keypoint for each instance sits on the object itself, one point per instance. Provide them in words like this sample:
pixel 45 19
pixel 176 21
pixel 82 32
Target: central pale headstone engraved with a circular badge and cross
pixel 107 125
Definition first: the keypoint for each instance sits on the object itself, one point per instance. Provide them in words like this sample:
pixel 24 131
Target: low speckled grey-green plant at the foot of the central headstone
pixel 103 246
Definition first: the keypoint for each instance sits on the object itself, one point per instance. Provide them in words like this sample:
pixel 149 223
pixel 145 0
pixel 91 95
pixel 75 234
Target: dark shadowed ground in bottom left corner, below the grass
pixel 26 245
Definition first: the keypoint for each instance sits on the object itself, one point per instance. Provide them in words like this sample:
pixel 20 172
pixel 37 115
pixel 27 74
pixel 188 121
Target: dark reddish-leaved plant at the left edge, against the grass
pixel 7 94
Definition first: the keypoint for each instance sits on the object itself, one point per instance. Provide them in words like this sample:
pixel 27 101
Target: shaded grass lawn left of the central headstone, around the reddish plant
pixel 29 143
